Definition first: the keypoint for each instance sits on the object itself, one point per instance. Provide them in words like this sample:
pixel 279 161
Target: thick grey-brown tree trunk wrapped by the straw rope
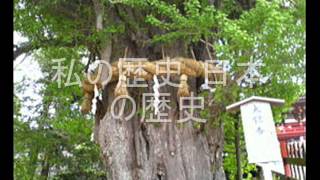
pixel 138 150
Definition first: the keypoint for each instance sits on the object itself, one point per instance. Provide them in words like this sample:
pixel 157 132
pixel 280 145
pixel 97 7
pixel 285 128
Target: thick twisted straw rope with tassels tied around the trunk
pixel 145 70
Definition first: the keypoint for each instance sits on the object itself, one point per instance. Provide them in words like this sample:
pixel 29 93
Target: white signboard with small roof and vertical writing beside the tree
pixel 262 144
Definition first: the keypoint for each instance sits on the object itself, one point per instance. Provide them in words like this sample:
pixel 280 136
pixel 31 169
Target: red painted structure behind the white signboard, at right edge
pixel 293 129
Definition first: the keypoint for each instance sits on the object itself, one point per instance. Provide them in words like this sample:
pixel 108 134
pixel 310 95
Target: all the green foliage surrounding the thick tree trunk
pixel 270 32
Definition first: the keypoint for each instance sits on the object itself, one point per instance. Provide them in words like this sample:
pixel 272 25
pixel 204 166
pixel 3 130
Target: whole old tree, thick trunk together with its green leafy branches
pixel 271 32
